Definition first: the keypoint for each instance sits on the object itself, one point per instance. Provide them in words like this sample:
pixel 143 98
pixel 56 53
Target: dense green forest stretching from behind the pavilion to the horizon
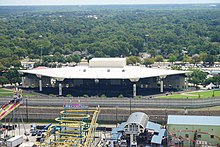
pixel 69 33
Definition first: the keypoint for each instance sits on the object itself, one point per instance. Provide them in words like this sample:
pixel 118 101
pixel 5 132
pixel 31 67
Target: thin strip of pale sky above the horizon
pixel 100 2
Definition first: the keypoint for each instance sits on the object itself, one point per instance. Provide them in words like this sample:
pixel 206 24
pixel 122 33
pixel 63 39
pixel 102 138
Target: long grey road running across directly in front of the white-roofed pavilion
pixel 120 102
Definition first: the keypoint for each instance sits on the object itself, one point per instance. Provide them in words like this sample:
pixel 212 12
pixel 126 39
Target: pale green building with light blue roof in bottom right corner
pixel 194 130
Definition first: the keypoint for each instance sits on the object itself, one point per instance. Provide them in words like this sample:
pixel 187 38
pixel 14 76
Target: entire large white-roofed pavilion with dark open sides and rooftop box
pixel 108 76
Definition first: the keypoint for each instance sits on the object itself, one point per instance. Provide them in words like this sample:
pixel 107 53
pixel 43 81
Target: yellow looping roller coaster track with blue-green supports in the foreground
pixel 76 128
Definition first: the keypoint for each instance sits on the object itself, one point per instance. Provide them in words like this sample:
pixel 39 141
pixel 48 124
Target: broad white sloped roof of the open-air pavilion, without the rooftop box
pixel 86 72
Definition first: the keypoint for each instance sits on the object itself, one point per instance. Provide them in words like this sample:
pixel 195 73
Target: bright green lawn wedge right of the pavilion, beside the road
pixel 195 94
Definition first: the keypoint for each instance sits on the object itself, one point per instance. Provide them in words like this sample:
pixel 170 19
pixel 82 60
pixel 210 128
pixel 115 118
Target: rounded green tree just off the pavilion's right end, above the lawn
pixel 197 76
